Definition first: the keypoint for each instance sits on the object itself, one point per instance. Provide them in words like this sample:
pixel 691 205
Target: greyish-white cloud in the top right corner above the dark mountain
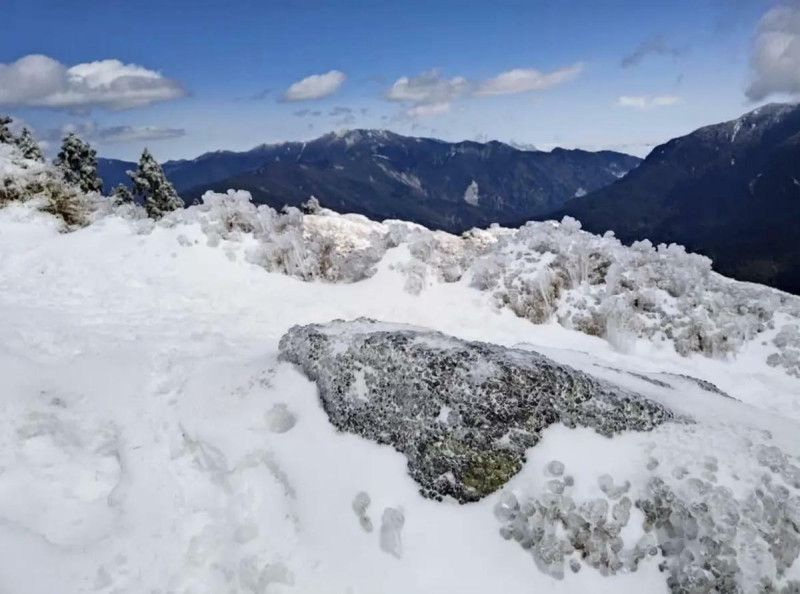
pixel 775 57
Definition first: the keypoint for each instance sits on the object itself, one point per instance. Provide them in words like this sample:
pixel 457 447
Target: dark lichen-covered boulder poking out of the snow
pixel 462 412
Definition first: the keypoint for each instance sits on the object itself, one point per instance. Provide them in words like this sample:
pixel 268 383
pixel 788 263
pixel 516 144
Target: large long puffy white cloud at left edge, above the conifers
pixel 40 81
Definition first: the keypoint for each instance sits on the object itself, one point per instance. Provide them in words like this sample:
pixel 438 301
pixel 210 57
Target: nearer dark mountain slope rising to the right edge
pixel 730 191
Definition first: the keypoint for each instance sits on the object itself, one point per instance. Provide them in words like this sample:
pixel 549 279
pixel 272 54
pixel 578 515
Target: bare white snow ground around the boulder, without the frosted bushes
pixel 152 441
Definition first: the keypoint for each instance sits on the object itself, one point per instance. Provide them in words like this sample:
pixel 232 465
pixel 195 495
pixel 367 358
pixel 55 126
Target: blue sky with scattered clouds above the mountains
pixel 211 75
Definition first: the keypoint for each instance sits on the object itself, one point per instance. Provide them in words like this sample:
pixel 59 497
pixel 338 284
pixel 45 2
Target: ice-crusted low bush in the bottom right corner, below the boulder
pixel 706 537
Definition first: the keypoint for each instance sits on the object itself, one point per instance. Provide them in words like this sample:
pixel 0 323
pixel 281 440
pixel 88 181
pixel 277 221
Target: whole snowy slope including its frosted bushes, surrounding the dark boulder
pixel 153 440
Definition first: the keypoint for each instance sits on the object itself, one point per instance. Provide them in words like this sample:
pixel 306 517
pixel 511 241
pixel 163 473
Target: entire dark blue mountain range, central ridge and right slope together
pixel 730 191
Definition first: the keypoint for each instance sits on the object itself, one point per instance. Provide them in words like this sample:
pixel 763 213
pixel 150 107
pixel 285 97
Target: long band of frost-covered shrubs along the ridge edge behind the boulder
pixel 544 271
